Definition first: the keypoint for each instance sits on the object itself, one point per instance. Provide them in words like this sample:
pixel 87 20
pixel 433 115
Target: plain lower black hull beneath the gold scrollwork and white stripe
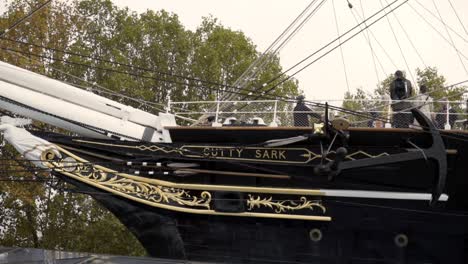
pixel 363 231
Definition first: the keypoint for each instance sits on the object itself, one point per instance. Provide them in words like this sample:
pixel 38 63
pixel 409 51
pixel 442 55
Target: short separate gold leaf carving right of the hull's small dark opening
pixel 282 206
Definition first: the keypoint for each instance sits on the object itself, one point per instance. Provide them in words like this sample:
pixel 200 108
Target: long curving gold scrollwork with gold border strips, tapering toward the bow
pixel 169 195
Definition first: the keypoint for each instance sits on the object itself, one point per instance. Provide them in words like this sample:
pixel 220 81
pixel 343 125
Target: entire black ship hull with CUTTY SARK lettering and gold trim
pixel 381 213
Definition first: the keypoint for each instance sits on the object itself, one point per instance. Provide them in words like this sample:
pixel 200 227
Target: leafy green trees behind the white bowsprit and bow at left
pixel 33 215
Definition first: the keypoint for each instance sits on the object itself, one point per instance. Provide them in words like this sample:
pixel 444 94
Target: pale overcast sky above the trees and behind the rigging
pixel 263 21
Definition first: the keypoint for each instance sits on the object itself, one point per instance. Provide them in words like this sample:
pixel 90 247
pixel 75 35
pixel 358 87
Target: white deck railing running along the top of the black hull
pixel 281 113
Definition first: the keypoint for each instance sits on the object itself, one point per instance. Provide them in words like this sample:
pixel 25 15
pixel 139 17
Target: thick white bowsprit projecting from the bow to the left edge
pixel 53 102
